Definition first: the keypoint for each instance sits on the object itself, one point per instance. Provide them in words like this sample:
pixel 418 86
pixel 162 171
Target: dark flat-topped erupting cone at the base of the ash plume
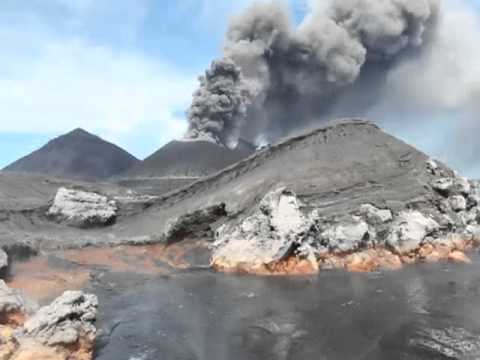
pixel 190 159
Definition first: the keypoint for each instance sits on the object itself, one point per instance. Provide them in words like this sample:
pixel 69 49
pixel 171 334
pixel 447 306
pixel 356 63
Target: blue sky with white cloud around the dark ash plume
pixel 123 69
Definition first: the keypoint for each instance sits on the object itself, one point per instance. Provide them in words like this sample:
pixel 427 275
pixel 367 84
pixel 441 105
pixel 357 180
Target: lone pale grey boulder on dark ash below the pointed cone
pixel 82 209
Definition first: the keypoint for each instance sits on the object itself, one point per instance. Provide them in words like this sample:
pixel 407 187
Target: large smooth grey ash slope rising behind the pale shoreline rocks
pixel 334 169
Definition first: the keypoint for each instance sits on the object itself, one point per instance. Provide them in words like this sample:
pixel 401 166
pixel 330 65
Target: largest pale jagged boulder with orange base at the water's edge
pixel 265 237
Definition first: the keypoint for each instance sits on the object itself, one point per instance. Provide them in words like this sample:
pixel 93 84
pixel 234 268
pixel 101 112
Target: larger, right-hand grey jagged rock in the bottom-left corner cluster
pixel 64 322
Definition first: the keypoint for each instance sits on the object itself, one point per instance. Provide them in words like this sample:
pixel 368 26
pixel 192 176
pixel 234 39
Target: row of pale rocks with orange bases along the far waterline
pixel 281 236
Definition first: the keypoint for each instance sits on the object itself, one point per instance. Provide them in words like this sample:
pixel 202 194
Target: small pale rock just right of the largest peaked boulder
pixel 346 236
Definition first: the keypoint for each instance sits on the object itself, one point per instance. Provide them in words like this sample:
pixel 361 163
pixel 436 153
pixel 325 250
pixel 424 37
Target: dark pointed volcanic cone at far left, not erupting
pixel 77 154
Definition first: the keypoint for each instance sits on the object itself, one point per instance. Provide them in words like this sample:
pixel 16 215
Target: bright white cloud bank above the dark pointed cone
pixel 74 84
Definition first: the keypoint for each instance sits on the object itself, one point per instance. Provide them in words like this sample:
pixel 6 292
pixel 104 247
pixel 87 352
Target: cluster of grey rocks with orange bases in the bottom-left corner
pixel 63 330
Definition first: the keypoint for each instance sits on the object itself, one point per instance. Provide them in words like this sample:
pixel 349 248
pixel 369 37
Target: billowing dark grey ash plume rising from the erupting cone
pixel 343 59
